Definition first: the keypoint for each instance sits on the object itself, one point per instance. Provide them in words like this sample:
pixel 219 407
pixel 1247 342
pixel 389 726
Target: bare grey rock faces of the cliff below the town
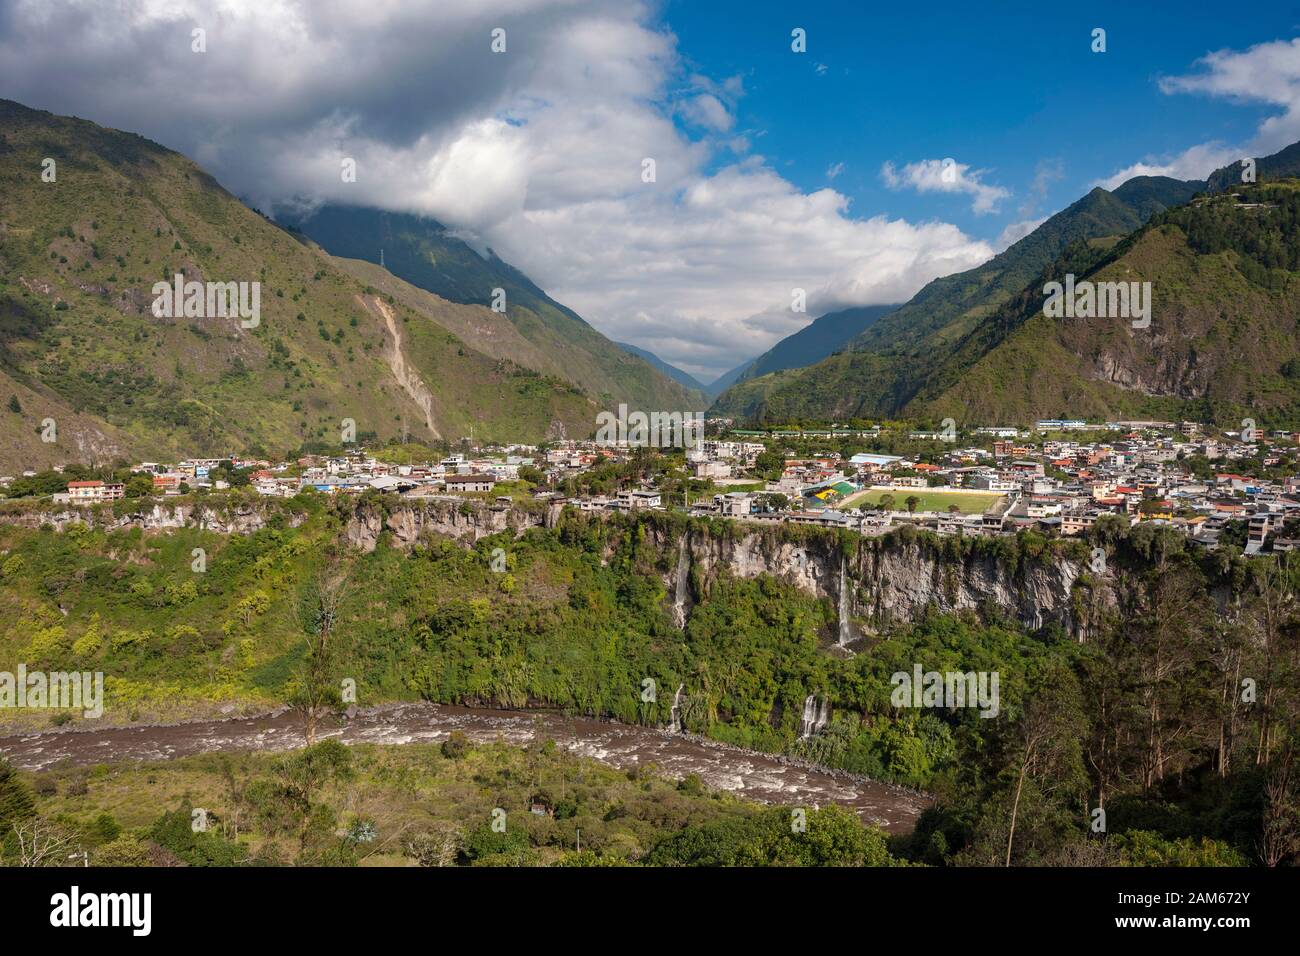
pixel 872 582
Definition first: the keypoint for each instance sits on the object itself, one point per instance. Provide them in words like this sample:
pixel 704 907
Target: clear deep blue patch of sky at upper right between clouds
pixel 1016 92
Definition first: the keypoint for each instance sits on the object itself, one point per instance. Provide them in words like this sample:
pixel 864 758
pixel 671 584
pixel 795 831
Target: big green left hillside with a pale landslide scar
pixel 80 344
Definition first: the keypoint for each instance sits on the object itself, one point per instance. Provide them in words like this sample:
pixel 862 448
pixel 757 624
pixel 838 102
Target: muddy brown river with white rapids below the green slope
pixel 755 776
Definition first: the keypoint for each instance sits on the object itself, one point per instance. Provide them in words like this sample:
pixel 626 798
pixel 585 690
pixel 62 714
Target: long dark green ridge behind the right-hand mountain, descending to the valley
pixel 886 366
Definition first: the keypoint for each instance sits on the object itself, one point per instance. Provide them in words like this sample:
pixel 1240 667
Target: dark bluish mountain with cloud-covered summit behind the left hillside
pixel 430 257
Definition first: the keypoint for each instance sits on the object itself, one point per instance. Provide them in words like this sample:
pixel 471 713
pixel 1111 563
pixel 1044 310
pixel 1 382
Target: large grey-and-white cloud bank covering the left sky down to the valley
pixel 536 152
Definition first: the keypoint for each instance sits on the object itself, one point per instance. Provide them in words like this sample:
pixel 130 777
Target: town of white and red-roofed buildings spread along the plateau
pixel 1237 487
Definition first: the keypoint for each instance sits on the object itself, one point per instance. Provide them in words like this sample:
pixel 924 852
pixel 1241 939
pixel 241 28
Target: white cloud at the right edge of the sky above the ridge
pixel 1264 73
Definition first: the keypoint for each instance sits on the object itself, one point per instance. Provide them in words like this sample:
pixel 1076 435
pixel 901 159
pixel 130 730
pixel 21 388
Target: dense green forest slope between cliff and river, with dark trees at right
pixel 1175 711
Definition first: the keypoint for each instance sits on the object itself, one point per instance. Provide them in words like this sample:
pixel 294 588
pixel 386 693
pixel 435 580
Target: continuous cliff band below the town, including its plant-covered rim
pixel 876 582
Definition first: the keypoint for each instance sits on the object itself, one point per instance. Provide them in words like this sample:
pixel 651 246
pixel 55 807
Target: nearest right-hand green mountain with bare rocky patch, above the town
pixel 1223 344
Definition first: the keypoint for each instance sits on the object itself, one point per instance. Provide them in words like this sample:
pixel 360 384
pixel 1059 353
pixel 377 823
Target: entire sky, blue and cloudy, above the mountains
pixel 777 172
